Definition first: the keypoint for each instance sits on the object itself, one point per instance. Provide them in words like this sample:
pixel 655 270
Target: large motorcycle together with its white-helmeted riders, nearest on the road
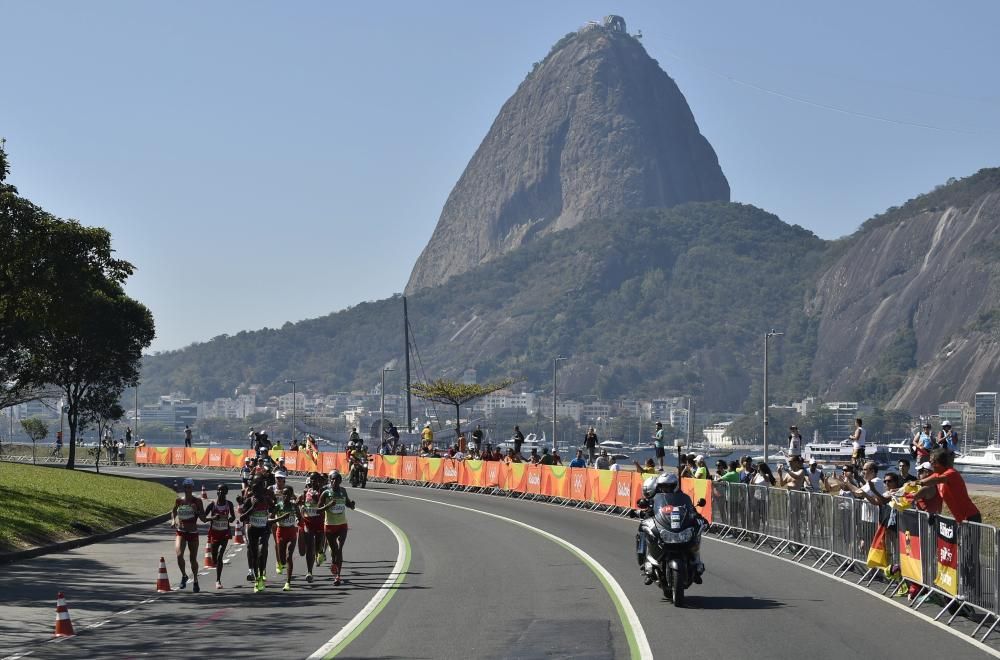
pixel 669 537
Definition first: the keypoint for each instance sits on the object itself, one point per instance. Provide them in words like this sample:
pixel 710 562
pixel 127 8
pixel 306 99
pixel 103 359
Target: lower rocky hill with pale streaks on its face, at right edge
pixel 909 310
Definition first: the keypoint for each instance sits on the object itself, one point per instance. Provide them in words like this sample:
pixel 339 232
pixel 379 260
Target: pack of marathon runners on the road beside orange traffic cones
pixel 267 507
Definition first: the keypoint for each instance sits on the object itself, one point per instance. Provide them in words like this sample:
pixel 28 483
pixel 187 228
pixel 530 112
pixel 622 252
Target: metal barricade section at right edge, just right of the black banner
pixel 978 565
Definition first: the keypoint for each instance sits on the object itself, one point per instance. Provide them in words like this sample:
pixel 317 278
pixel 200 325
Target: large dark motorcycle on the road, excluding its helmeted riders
pixel 664 548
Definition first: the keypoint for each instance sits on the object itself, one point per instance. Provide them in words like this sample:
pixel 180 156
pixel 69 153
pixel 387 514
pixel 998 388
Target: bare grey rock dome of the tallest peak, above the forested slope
pixel 596 128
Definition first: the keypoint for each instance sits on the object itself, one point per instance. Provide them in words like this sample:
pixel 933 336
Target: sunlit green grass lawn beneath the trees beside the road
pixel 41 505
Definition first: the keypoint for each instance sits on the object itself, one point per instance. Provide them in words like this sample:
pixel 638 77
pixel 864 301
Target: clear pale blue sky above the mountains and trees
pixel 267 162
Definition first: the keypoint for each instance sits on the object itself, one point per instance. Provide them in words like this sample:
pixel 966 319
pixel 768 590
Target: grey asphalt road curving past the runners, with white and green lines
pixel 477 585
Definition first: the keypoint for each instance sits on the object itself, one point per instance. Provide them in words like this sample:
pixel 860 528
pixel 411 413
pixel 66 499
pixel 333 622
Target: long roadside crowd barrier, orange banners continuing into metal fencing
pixel 959 562
